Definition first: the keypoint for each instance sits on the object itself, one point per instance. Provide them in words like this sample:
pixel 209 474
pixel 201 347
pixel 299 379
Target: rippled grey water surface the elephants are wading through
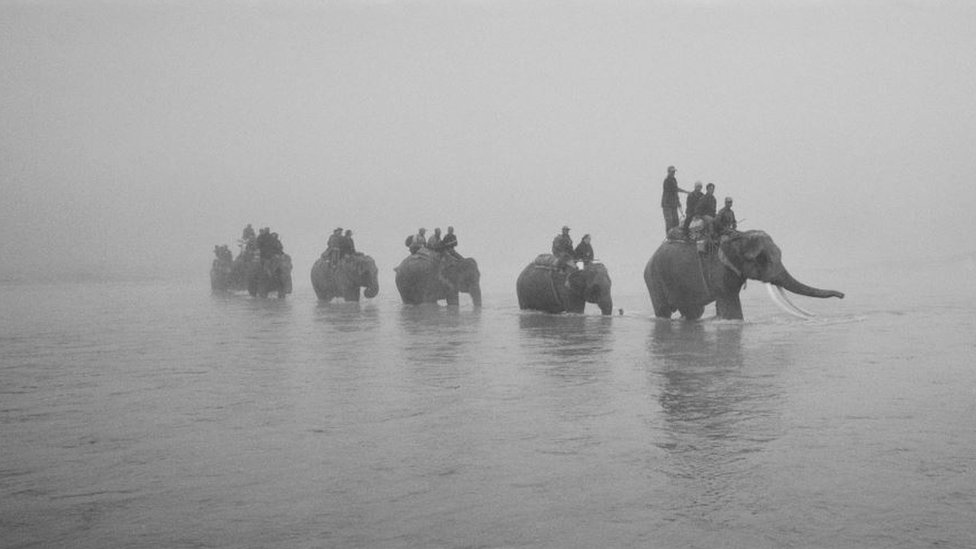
pixel 150 416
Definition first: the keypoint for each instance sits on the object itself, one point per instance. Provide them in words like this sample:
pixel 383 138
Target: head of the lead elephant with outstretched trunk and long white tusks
pixel 754 255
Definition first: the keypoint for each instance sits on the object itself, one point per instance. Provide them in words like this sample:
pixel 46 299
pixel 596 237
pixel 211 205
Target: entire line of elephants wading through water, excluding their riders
pixel 680 277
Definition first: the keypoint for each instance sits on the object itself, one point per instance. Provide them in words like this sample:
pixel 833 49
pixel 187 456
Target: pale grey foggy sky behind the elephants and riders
pixel 137 135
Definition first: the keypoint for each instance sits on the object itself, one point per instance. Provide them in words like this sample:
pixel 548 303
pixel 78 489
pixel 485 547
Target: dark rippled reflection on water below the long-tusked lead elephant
pixel 718 410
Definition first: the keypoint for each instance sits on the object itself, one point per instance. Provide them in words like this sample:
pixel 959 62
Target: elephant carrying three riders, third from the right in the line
pixel 428 276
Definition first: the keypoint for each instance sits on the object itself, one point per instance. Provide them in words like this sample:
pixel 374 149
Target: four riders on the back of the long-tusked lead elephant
pixel 702 223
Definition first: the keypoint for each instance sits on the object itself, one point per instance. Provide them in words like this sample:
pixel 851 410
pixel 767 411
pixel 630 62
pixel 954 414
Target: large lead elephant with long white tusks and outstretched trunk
pixel 681 278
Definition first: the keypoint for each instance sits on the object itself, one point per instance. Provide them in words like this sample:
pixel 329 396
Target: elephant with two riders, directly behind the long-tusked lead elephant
pixel 548 285
